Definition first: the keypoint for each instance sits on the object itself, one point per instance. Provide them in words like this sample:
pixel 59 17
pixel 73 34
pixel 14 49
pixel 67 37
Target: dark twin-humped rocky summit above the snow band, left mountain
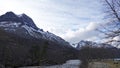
pixel 23 19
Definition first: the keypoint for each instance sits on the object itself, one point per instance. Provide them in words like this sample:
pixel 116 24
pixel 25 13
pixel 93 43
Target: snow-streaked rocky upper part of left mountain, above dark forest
pixel 23 26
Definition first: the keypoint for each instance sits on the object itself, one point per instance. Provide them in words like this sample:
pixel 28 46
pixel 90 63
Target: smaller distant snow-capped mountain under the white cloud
pixel 83 43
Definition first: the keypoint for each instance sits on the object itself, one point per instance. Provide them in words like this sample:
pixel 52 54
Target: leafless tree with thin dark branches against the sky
pixel 111 29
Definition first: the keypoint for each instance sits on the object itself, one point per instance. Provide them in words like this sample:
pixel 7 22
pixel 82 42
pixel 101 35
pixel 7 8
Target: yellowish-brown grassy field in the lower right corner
pixel 104 64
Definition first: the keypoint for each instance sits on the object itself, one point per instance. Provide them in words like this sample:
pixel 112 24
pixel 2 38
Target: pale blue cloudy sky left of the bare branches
pixel 73 20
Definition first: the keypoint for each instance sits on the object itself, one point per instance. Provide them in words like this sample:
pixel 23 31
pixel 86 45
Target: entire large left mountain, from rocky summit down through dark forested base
pixel 22 43
